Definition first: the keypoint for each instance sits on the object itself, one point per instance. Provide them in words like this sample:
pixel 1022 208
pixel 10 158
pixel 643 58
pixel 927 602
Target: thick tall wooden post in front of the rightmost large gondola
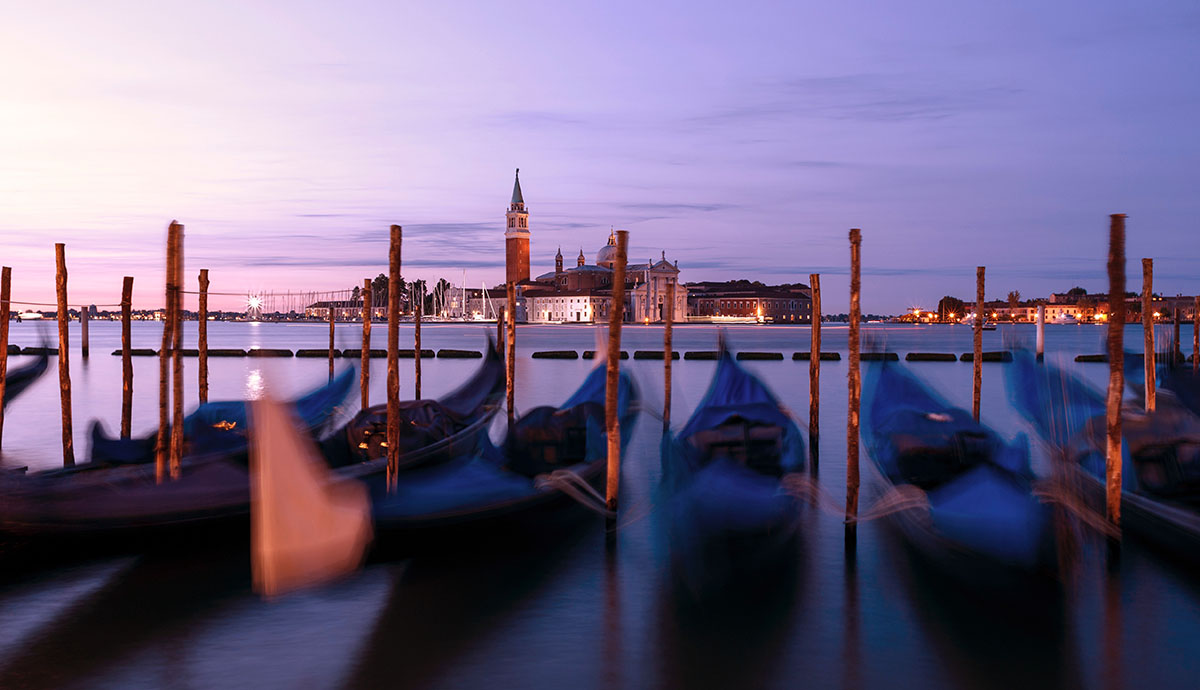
pixel 1117 368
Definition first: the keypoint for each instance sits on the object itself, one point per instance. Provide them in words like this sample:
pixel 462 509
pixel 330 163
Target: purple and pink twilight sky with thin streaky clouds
pixel 743 140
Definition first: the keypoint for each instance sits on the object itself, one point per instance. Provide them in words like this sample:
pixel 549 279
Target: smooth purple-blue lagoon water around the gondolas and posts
pixel 577 613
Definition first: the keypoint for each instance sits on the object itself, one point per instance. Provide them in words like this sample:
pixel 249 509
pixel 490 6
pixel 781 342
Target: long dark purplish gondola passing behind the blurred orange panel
pixel 124 502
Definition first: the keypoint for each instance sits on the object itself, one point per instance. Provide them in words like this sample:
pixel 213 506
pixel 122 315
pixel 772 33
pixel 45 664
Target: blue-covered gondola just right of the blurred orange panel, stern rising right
pixel 551 454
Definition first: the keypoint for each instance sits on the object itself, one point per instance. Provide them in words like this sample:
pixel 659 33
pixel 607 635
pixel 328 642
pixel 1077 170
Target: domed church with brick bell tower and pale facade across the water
pixel 584 293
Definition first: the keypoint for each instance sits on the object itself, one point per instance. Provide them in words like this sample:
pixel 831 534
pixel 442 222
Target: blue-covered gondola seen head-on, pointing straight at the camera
pixel 723 476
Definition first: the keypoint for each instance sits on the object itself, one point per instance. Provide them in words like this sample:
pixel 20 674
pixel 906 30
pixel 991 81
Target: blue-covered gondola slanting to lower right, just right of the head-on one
pixel 970 509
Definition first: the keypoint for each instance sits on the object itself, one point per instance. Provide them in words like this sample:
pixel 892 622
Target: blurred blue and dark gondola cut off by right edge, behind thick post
pixel 1160 454
